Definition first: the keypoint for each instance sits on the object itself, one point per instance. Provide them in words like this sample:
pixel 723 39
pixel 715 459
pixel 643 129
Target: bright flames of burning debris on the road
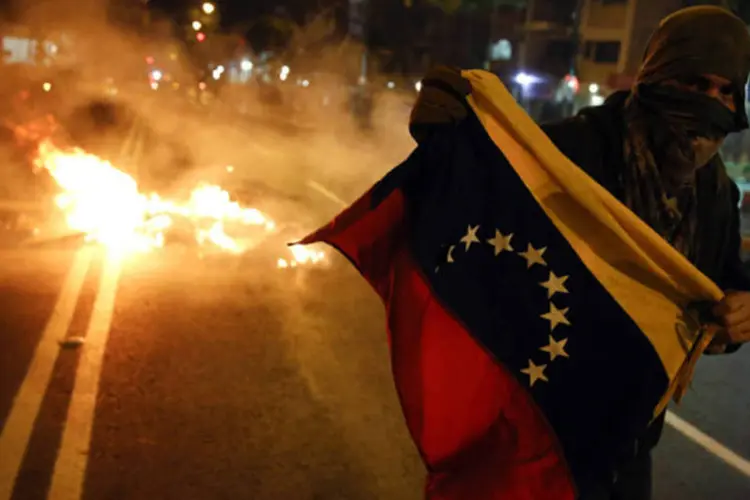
pixel 105 205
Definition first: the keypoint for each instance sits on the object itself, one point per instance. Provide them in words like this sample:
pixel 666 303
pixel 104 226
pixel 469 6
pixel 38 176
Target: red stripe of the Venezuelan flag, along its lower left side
pixel 478 430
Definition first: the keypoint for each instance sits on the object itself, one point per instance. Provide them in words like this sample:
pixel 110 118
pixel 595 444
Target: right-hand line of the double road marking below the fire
pixel 72 458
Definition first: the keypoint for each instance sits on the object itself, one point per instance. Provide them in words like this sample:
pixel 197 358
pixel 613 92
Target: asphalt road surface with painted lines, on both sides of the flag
pixel 213 376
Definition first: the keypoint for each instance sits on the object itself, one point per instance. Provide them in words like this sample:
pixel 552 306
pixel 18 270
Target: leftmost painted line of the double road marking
pixel 16 433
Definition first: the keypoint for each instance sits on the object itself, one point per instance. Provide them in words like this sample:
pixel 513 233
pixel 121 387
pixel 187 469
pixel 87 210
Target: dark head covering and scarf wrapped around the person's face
pixel 662 120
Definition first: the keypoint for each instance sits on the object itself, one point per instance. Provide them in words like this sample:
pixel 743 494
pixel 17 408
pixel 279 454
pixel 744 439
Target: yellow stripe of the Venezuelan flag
pixel 648 278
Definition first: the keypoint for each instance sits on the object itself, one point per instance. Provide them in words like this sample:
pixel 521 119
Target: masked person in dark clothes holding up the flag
pixel 656 148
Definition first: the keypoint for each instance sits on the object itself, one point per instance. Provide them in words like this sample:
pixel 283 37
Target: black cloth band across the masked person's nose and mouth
pixel 698 114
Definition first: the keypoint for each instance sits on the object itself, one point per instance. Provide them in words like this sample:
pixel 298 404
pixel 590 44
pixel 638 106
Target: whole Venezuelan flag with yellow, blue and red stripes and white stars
pixel 536 325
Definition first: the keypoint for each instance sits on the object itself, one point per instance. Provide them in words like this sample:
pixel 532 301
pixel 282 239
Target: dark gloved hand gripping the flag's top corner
pixel 441 102
